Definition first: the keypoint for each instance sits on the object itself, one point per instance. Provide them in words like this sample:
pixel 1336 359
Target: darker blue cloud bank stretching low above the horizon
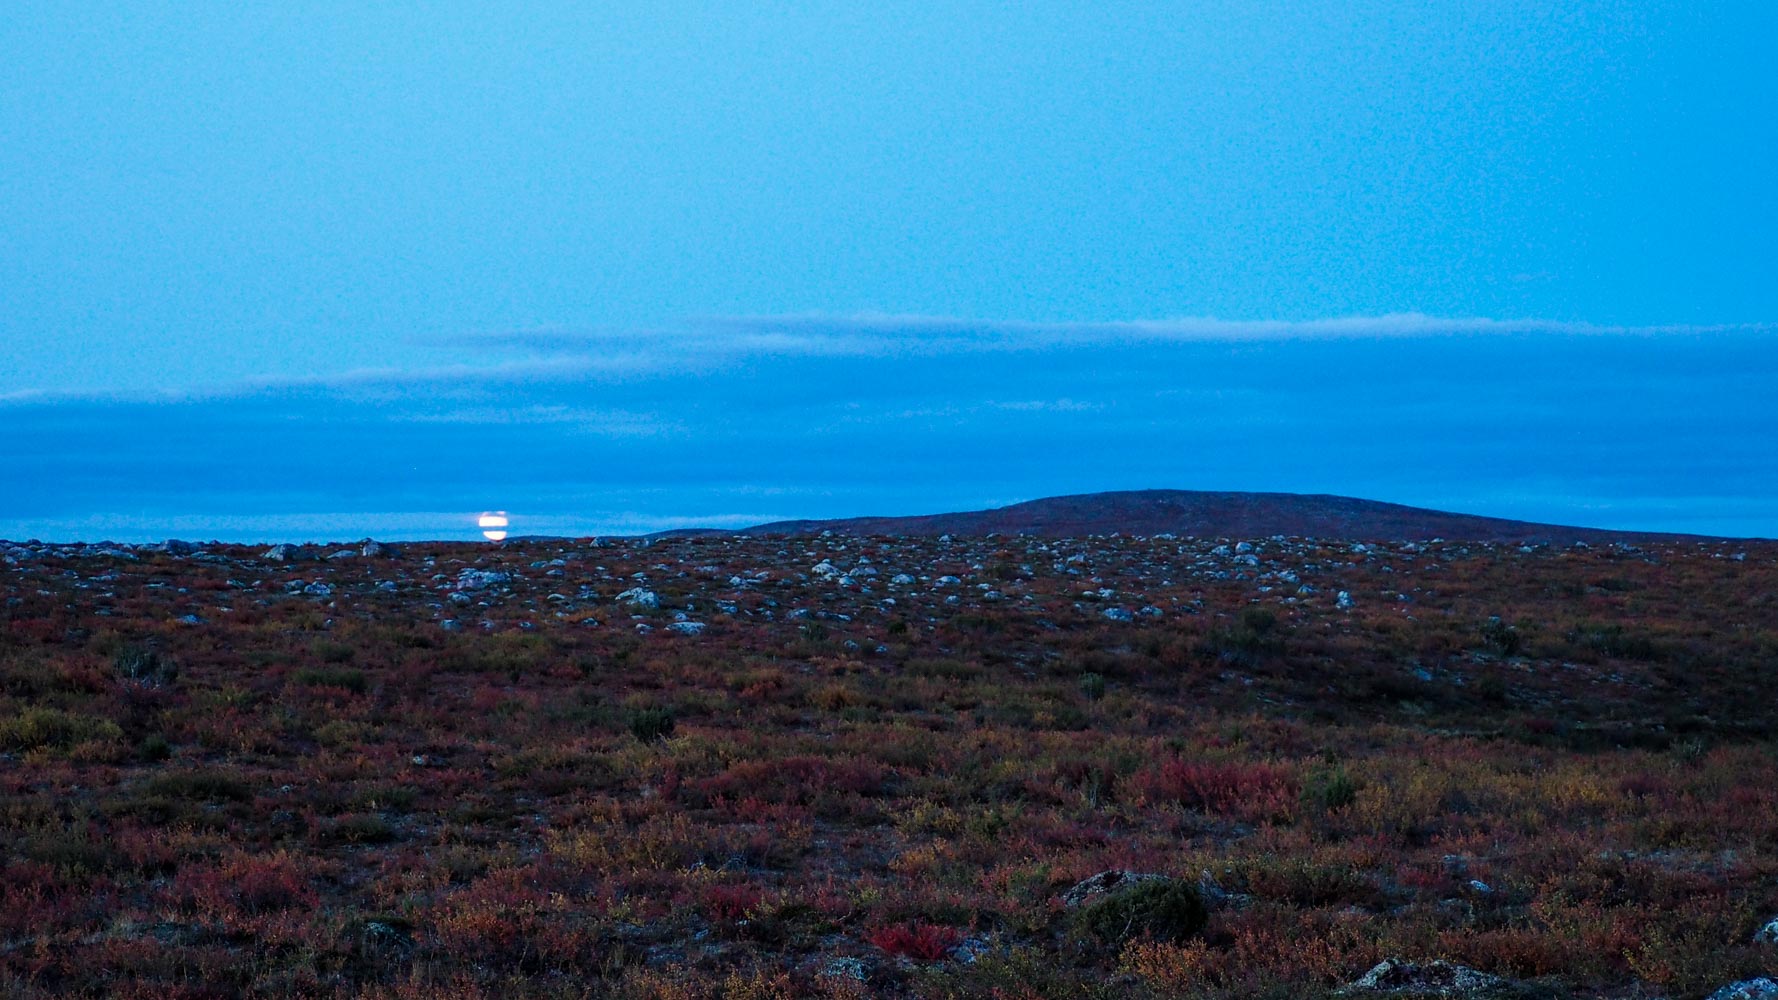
pixel 749 419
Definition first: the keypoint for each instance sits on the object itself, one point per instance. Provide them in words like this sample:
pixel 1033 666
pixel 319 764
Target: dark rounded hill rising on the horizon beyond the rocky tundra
pixel 1213 515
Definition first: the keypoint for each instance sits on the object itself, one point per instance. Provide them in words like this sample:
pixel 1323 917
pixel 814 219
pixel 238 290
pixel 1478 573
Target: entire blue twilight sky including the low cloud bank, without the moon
pixel 344 270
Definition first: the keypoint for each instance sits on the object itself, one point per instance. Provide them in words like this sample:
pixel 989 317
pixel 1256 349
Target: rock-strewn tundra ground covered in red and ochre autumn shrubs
pixel 838 766
